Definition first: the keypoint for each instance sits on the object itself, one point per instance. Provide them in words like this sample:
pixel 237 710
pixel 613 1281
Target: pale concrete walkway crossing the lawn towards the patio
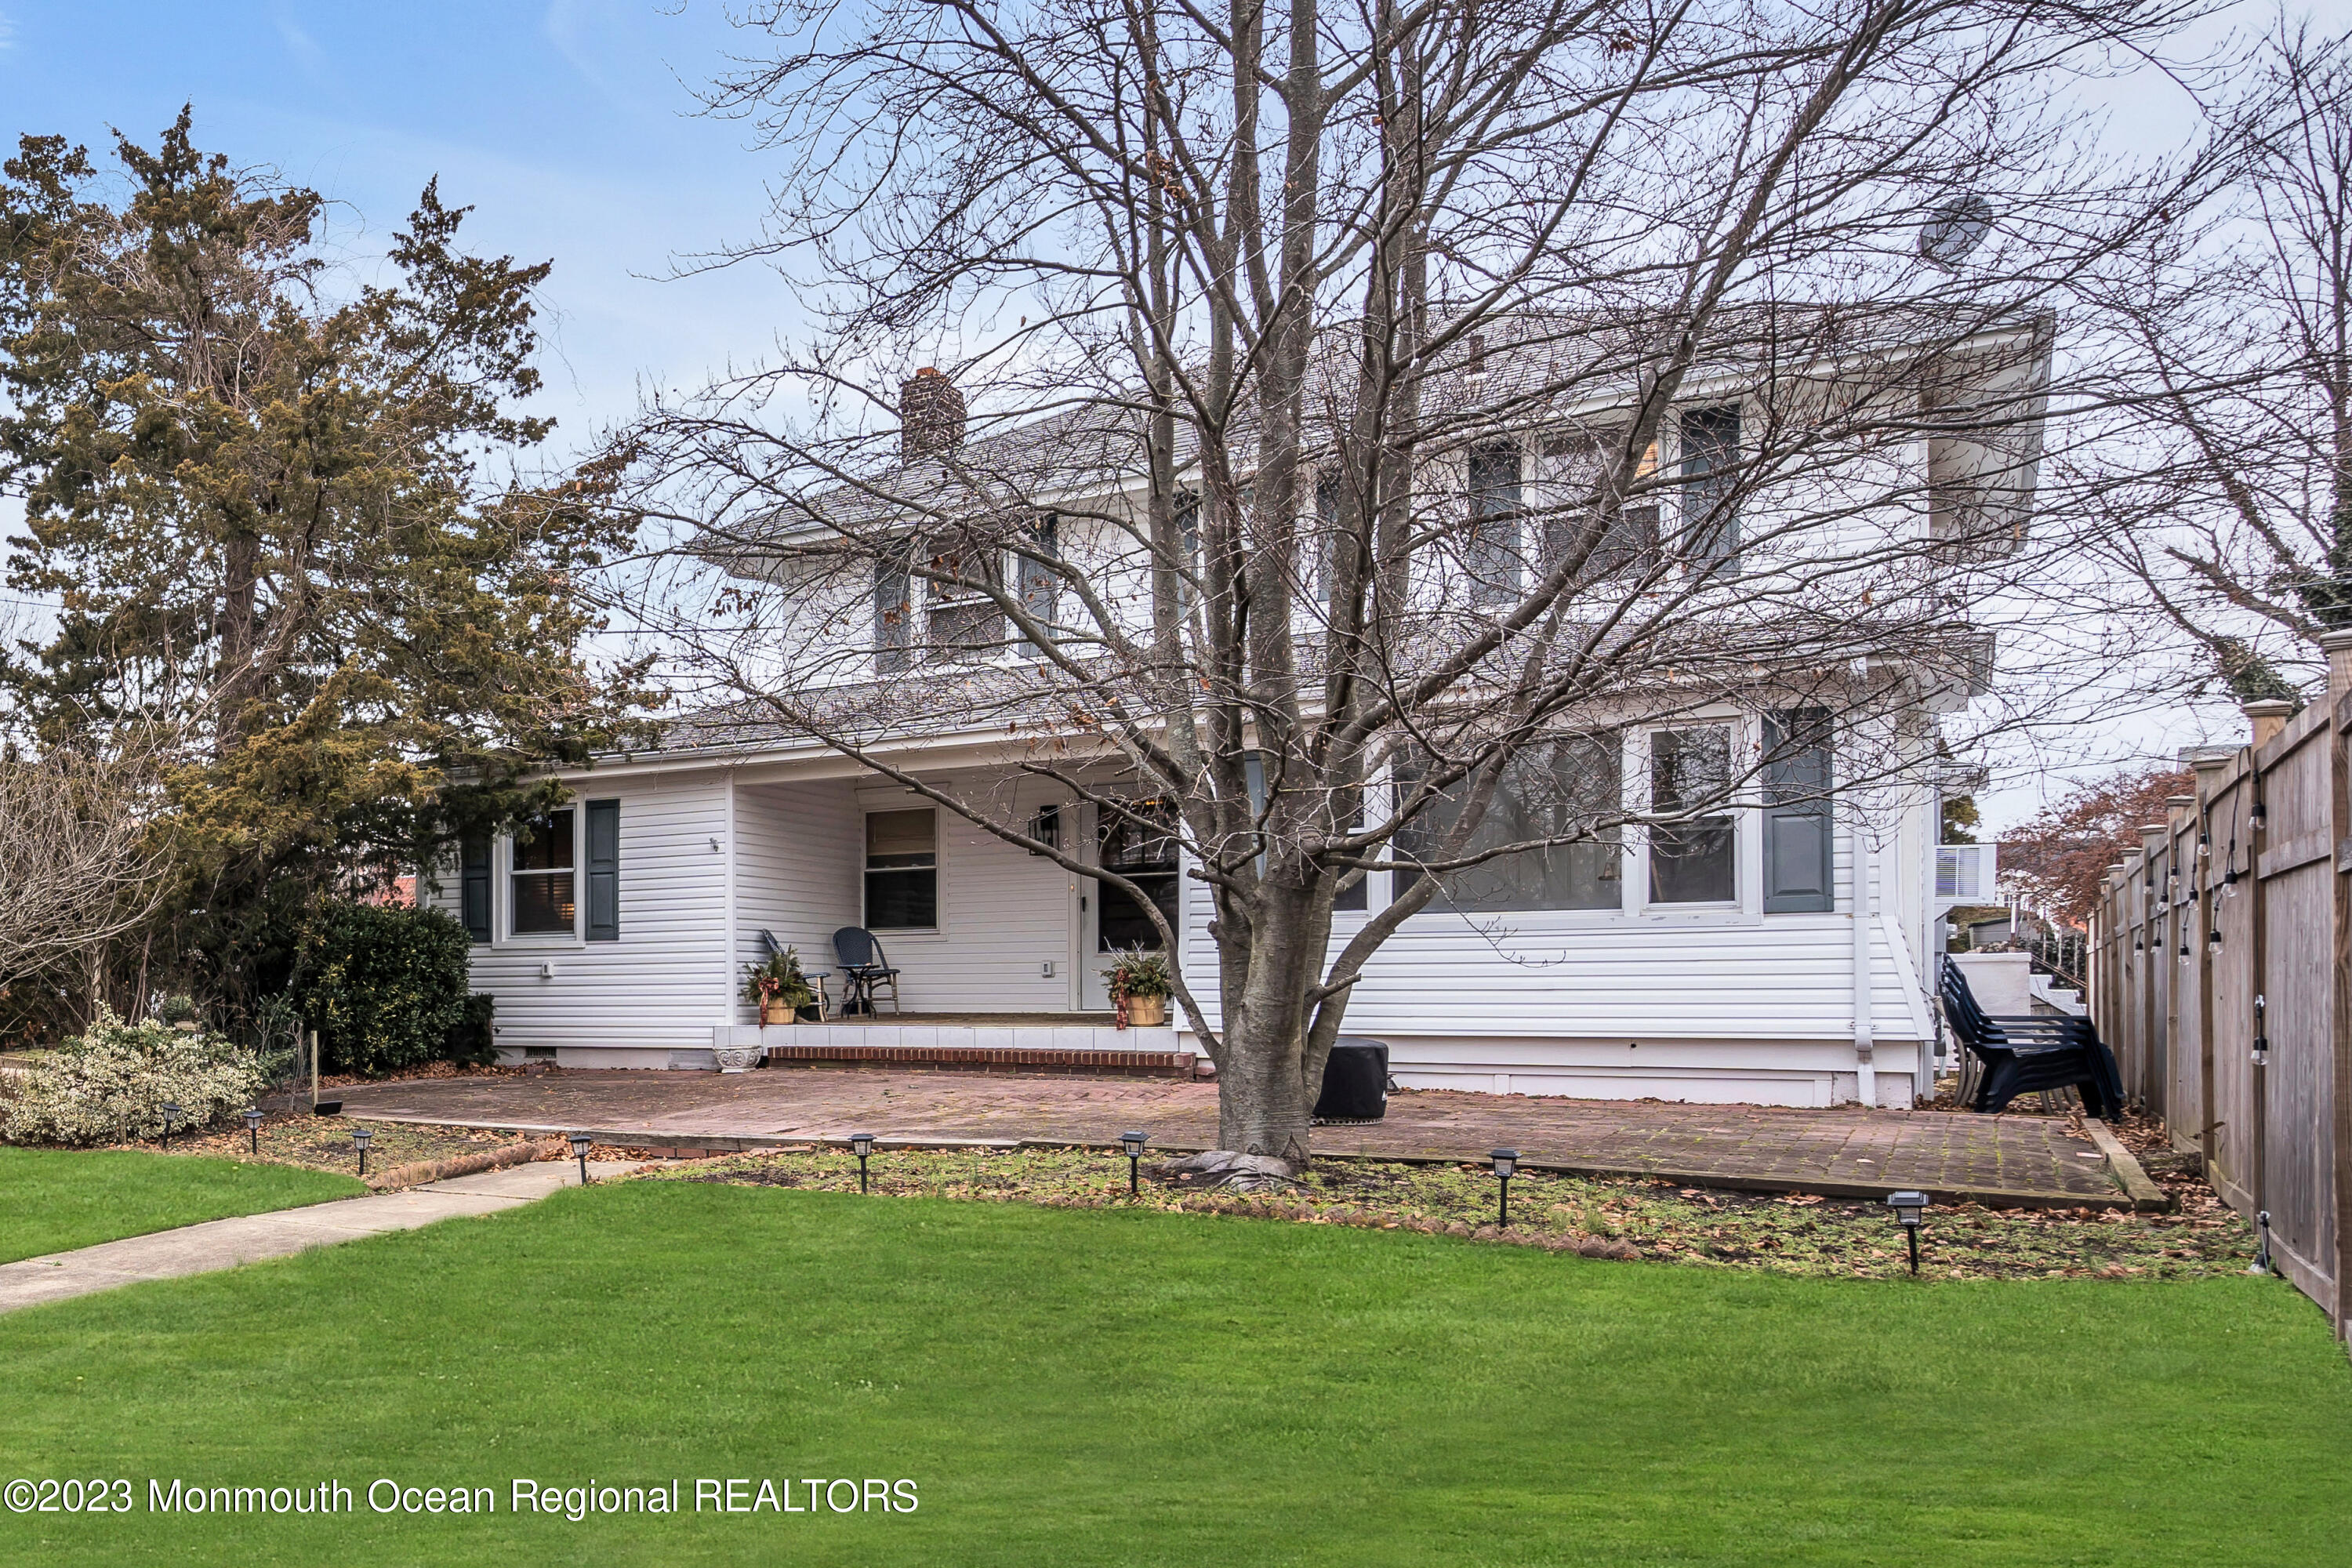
pixel 225 1245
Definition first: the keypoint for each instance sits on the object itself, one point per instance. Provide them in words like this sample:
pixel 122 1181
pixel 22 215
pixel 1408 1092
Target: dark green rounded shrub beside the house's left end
pixel 385 986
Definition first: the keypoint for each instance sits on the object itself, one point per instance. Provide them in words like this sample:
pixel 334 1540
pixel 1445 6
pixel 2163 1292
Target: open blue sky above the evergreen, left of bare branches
pixel 568 126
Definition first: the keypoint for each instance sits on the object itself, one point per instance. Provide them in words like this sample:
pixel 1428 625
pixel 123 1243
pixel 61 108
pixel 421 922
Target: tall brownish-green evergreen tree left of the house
pixel 286 528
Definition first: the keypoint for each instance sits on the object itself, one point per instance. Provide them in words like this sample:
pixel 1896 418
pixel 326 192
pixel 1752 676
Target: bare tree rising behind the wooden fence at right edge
pixel 2229 476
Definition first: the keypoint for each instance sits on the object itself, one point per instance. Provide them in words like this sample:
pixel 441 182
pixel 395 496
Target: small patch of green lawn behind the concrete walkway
pixel 58 1200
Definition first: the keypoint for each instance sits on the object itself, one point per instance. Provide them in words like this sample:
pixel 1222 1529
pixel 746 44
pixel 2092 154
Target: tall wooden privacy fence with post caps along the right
pixel 2219 974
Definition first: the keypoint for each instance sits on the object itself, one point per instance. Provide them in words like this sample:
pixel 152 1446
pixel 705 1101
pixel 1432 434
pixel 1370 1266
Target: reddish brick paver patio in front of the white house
pixel 1838 1153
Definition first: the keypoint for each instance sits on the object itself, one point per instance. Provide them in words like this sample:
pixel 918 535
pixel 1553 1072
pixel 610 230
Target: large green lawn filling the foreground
pixel 1144 1388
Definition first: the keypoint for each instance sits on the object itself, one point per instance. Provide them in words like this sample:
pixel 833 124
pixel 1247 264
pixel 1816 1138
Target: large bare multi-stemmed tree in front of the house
pixel 1356 417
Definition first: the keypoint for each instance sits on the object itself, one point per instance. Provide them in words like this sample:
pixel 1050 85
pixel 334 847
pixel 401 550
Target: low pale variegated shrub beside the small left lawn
pixel 114 1080
